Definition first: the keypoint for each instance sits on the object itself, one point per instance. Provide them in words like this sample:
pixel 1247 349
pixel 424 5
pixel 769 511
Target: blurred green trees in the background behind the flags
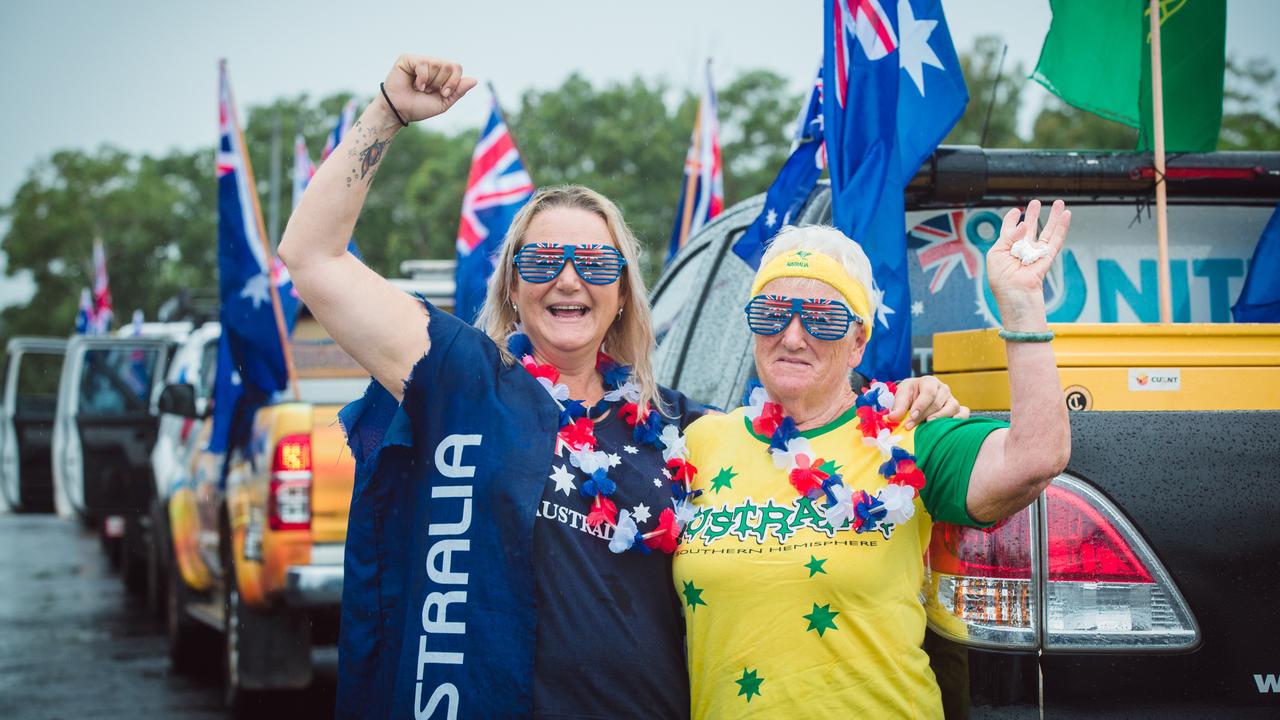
pixel 628 140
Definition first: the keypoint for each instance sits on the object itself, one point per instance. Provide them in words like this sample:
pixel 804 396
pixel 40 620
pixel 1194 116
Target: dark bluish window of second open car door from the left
pixel 117 382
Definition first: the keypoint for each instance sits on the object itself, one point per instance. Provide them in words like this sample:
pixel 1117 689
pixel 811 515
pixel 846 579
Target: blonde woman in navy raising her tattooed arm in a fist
pixel 509 550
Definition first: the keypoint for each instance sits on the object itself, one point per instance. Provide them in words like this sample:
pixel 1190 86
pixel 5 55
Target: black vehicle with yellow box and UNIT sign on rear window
pixel 1124 591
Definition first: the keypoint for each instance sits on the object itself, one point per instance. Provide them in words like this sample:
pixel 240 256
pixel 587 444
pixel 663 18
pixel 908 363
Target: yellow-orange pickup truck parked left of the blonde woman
pixel 257 555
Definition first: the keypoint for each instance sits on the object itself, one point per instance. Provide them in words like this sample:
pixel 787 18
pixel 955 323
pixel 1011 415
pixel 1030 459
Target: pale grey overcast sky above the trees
pixel 143 75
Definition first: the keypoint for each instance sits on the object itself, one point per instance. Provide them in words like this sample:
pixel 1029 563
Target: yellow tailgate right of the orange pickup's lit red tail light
pixel 333 475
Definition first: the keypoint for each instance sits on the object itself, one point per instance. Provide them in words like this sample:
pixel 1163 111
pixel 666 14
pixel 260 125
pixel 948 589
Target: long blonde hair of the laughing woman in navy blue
pixel 630 339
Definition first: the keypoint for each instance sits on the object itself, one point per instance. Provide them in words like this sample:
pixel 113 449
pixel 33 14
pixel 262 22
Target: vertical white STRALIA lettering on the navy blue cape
pixel 440 571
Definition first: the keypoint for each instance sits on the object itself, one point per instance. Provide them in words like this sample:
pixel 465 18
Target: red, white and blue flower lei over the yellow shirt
pixel 817 479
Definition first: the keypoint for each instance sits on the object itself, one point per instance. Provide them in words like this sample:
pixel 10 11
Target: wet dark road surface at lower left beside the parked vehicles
pixel 74 644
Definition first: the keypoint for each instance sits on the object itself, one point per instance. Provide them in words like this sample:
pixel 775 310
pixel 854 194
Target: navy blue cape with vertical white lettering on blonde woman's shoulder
pixel 438 590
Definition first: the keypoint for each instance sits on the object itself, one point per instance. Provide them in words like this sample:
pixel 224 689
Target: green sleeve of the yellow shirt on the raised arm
pixel 947 450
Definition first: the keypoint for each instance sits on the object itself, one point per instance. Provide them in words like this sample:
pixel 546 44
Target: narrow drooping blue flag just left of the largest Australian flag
pixel 796 181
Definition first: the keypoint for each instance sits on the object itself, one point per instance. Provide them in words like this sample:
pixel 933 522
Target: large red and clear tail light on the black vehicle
pixel 1104 587
